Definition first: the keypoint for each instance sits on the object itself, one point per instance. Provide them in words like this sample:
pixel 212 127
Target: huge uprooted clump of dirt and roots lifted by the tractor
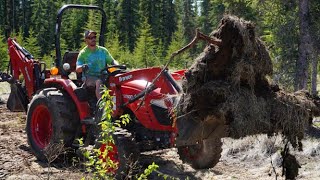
pixel 229 83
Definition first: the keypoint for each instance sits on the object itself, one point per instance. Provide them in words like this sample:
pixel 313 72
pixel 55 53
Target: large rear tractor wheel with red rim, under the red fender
pixel 52 119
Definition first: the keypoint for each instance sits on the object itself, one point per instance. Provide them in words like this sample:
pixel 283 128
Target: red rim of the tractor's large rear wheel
pixel 41 126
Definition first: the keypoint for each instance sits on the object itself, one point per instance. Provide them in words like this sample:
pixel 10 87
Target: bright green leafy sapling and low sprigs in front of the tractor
pixel 97 160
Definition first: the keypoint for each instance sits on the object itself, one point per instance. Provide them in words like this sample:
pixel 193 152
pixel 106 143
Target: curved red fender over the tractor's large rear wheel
pixel 69 87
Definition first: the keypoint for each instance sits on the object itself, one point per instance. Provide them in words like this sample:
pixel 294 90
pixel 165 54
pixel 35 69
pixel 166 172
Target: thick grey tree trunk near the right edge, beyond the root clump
pixel 302 63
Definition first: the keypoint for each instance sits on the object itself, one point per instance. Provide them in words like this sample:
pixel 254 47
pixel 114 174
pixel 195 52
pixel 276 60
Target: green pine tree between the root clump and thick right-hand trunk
pixel 280 33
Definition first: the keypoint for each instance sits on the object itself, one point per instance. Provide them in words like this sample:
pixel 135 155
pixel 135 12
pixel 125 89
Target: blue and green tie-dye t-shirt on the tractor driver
pixel 96 60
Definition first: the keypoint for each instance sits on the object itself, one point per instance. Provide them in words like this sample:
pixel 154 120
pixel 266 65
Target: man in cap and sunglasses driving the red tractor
pixel 92 59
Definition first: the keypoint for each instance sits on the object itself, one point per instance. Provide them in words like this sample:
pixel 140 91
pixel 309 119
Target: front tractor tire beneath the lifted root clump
pixel 206 153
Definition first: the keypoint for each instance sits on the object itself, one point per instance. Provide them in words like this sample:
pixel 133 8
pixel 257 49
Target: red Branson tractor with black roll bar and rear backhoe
pixel 60 109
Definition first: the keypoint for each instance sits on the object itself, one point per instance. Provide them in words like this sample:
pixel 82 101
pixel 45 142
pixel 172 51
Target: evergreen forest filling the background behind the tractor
pixel 144 33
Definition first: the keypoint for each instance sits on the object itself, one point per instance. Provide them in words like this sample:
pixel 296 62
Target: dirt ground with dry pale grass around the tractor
pixel 255 157
